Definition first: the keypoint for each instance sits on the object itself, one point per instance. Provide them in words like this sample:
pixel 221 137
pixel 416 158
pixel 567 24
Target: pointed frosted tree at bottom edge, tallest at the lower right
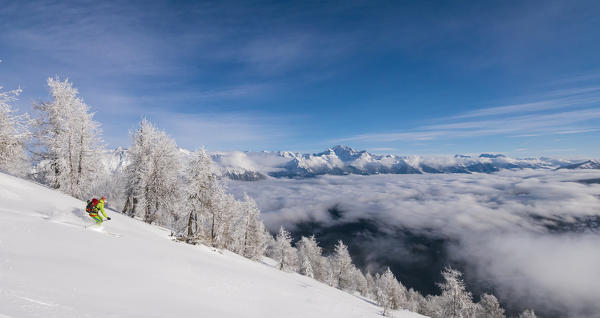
pixel 455 300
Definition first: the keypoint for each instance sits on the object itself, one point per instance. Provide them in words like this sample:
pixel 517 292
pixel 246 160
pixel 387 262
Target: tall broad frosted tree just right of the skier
pixel 152 187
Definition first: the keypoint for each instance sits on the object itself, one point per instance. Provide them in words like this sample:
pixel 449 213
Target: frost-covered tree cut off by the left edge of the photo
pixel 14 135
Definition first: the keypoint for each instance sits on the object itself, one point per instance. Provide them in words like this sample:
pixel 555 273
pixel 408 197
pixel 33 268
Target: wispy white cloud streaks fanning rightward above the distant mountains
pixel 574 111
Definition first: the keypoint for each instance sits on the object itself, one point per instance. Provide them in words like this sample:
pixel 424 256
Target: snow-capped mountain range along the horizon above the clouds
pixel 343 160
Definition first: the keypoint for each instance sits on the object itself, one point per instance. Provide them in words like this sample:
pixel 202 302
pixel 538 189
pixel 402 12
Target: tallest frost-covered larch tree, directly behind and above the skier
pixel 68 139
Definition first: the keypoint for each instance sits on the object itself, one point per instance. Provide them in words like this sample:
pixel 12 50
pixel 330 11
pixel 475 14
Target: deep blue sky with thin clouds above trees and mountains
pixel 421 77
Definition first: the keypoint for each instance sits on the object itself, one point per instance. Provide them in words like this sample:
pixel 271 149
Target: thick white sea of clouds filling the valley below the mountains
pixel 532 235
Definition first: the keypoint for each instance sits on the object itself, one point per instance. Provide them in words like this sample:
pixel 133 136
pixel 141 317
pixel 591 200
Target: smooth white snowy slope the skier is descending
pixel 51 266
